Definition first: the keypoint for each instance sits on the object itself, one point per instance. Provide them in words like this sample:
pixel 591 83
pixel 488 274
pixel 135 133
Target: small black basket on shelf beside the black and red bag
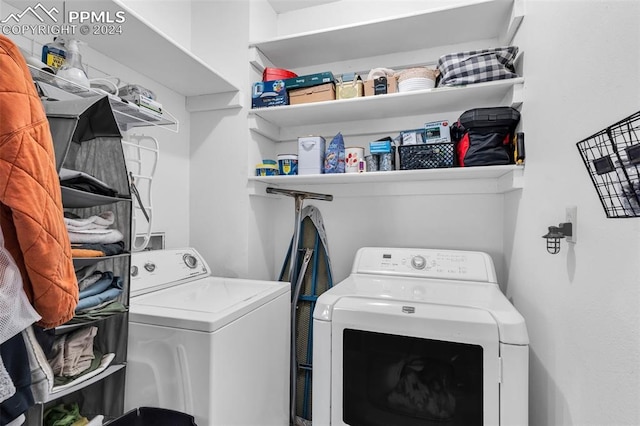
pixel 426 156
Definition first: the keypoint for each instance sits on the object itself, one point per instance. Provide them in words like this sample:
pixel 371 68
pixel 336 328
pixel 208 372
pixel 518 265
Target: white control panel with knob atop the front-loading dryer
pixel 425 263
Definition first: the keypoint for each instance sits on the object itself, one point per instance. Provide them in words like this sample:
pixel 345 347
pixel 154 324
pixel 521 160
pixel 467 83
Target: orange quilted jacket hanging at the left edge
pixel 31 214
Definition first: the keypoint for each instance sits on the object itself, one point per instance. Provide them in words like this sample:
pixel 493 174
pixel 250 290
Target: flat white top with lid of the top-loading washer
pixel 204 305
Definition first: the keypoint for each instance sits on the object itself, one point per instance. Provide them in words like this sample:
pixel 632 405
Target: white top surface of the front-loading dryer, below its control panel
pixel 390 289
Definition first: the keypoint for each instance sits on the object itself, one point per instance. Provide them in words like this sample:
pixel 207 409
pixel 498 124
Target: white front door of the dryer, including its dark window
pixel 408 363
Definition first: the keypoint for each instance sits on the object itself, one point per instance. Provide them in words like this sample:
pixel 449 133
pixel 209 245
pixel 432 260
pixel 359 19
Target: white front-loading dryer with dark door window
pixel 419 337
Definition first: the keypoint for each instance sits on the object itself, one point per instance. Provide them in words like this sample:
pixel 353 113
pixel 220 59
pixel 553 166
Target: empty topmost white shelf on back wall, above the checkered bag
pixel 481 20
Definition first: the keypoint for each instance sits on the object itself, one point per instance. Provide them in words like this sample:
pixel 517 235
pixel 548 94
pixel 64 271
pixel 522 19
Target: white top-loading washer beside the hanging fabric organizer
pixel 215 348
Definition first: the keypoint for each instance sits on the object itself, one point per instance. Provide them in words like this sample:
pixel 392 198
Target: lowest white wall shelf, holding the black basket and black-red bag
pixel 456 180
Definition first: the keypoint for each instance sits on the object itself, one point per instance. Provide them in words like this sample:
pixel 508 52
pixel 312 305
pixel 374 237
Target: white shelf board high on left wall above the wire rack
pixel 144 48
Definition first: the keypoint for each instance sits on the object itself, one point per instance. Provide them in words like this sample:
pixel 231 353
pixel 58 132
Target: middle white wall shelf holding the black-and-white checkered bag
pixel 438 100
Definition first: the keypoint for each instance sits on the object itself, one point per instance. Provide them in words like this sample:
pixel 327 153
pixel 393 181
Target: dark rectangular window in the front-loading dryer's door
pixel 401 380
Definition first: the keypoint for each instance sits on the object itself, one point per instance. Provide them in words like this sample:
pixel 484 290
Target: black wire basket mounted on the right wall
pixel 612 158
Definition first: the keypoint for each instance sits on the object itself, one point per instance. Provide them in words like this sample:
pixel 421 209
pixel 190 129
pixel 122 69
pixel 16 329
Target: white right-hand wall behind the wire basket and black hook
pixel 582 74
